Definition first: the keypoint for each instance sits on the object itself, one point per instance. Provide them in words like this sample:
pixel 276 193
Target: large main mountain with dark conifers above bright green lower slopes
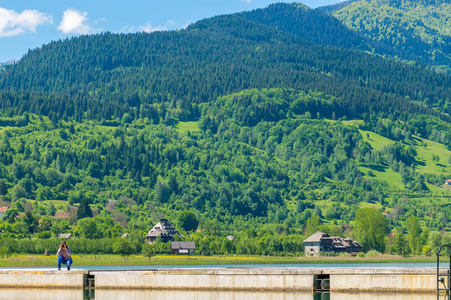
pixel 256 122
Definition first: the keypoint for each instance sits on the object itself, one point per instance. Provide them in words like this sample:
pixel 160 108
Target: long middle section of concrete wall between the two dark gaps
pixel 263 279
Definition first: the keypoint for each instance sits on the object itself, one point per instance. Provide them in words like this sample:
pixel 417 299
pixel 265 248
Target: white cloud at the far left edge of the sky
pixel 13 23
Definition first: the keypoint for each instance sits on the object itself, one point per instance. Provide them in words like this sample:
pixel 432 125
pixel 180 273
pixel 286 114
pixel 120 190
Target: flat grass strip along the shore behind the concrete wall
pixel 138 260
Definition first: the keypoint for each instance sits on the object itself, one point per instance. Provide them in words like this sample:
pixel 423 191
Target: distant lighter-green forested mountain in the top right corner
pixel 415 30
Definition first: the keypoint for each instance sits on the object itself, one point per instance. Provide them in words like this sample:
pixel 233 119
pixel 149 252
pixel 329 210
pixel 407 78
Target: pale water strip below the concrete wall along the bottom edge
pixel 38 294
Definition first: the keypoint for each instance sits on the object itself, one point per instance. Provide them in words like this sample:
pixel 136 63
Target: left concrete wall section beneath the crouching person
pixel 41 278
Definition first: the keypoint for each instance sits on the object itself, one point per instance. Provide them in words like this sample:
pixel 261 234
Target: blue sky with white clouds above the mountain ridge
pixel 27 24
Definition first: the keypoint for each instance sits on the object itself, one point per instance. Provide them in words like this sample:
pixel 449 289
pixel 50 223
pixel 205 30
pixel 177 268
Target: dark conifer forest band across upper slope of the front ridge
pixel 107 75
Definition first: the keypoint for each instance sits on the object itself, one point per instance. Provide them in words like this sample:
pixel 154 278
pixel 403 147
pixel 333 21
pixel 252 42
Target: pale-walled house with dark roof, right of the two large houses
pixel 322 242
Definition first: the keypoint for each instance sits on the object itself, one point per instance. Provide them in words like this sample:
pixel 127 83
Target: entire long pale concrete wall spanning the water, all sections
pixel 340 280
